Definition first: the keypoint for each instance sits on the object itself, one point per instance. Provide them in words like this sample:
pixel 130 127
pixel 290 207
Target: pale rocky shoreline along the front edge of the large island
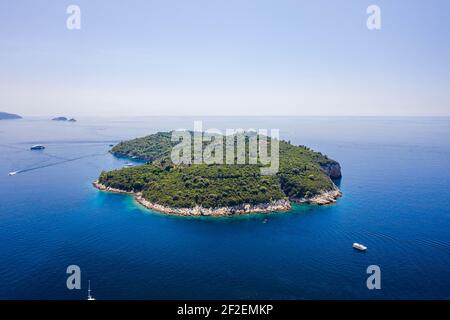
pixel 328 197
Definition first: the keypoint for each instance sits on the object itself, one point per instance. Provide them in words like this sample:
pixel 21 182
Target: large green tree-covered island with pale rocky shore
pixel 304 176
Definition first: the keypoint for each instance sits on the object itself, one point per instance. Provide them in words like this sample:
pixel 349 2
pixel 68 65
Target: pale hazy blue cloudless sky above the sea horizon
pixel 227 57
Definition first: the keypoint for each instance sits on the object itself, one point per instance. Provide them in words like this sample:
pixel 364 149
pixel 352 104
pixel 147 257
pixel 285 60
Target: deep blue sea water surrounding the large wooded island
pixel 396 174
